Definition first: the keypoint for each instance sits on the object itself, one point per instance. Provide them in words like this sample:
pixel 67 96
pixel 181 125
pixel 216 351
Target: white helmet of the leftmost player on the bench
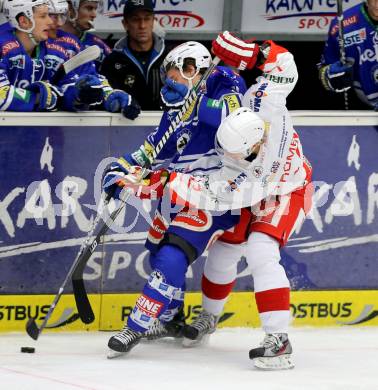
pixel 13 8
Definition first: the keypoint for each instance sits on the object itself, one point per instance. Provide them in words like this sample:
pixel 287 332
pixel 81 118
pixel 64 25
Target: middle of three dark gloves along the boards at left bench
pixel 89 90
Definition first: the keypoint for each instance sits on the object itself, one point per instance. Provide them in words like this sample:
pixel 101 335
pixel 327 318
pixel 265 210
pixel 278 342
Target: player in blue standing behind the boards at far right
pixel 361 50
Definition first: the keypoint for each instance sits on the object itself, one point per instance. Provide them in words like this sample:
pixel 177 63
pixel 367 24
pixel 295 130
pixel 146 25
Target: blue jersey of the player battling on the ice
pixel 195 136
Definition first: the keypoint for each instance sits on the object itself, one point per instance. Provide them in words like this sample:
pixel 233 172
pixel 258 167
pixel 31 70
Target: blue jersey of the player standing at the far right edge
pixel 361 43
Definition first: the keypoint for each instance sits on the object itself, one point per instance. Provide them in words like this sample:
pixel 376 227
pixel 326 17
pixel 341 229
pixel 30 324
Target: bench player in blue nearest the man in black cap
pixel 82 14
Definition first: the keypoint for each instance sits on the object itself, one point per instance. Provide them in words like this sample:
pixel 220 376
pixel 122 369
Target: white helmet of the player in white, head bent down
pixel 240 131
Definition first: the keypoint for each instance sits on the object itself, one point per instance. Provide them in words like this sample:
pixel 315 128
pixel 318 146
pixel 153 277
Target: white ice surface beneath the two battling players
pixel 326 359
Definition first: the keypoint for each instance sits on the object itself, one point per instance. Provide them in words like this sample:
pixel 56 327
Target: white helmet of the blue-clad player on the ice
pixel 177 56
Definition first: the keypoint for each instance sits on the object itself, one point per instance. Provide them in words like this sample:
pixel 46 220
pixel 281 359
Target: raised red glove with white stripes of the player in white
pixel 235 52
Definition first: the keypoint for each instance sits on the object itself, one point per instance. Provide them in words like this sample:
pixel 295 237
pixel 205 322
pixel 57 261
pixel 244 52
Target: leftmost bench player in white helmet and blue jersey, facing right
pixel 29 64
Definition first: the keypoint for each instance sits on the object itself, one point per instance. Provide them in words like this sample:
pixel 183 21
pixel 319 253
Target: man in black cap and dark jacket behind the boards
pixel 134 64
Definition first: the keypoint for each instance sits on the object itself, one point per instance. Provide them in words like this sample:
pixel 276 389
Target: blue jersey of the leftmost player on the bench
pixel 18 70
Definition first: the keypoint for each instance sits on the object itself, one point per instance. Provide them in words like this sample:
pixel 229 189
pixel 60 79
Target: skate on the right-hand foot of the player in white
pixel 274 353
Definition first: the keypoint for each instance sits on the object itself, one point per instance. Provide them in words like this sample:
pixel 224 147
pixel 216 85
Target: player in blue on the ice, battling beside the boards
pixel 179 237
